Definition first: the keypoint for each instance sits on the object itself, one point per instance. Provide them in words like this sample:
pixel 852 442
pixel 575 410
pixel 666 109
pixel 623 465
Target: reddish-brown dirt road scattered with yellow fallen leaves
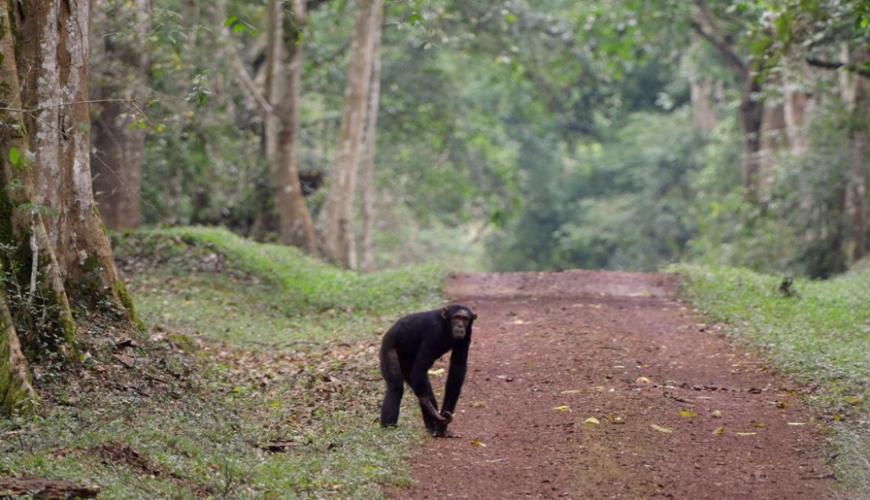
pixel 634 358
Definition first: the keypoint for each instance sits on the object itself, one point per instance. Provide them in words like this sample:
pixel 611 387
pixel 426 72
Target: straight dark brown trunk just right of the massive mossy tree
pixel 119 145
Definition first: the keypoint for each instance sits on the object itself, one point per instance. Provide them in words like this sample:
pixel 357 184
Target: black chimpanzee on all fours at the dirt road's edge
pixel 408 351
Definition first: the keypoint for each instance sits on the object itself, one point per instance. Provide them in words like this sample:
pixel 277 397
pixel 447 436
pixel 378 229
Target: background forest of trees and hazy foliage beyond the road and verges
pixel 511 135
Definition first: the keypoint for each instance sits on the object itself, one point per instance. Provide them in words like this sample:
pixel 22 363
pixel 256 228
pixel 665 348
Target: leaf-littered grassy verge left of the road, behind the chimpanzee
pixel 258 378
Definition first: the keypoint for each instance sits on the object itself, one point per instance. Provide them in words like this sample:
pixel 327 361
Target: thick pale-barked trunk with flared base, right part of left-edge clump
pixel 55 61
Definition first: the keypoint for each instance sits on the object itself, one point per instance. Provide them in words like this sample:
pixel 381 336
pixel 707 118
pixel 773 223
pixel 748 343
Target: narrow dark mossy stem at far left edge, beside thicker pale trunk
pixel 33 286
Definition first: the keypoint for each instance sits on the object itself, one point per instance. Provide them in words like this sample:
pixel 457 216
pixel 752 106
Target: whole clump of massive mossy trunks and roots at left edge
pixel 52 245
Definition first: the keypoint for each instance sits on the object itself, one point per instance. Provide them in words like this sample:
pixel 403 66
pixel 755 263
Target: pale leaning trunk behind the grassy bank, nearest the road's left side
pixel 335 222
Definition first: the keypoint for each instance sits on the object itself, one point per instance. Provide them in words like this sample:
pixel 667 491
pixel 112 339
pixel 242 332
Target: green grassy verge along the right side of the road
pixel 819 335
